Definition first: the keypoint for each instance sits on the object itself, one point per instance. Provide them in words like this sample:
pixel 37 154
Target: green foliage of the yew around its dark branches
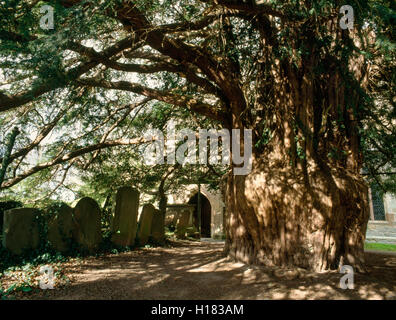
pixel 87 114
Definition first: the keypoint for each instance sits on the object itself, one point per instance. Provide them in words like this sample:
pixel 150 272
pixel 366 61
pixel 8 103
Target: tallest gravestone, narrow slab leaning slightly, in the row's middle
pixel 124 224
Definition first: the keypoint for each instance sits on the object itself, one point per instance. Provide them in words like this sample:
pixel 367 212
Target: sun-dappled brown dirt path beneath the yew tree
pixel 199 271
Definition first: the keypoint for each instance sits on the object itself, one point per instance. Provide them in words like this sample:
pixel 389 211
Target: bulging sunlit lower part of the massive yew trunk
pixel 279 216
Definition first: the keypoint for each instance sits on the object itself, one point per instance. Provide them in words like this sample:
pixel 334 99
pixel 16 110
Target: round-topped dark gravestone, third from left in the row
pixel 87 217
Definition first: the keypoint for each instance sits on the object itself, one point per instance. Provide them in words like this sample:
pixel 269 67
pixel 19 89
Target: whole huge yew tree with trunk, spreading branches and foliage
pixel 320 100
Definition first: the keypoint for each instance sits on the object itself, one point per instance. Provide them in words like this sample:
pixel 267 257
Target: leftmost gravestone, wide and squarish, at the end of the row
pixel 20 229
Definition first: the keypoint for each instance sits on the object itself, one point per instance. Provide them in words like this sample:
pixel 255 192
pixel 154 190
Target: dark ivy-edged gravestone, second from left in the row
pixel 60 228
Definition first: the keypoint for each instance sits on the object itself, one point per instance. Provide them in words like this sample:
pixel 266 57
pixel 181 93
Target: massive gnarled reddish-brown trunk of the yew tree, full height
pixel 304 204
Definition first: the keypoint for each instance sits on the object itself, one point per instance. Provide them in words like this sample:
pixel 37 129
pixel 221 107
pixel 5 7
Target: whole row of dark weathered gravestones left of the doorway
pixel 83 225
